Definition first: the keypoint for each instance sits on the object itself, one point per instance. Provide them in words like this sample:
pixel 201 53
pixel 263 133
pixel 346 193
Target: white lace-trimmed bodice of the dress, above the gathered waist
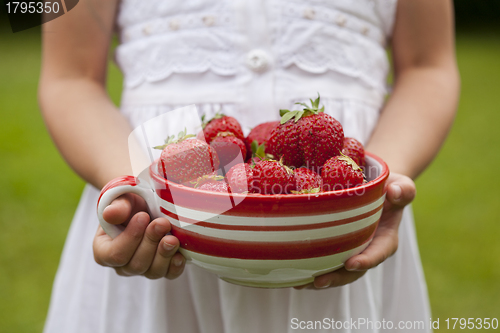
pixel 257 54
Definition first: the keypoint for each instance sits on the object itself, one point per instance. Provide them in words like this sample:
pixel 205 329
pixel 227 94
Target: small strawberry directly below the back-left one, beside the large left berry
pixel 228 148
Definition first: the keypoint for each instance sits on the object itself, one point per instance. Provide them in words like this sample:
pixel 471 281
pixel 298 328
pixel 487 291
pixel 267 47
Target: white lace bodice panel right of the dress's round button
pixel 317 39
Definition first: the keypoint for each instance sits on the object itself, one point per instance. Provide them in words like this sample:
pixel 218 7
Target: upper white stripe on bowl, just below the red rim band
pixel 267 221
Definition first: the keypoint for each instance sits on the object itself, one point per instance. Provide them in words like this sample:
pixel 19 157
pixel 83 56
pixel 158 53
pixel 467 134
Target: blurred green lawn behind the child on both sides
pixel 457 207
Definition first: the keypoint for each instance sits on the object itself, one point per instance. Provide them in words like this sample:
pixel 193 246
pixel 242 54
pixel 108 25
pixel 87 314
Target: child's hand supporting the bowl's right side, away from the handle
pixel 400 192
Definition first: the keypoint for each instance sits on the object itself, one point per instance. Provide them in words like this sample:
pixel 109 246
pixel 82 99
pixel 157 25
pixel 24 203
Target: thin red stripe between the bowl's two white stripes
pixel 270 228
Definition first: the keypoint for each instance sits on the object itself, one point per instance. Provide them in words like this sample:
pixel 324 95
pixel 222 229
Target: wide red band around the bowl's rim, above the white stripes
pixel 257 205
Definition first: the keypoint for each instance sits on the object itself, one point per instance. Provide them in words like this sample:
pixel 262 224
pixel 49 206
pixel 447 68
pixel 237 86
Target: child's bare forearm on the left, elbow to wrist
pixel 87 128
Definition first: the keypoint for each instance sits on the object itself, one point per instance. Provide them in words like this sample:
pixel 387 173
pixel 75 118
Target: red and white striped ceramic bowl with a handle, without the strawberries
pixel 262 240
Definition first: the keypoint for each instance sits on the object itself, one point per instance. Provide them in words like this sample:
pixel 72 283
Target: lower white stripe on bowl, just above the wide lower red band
pixel 281 236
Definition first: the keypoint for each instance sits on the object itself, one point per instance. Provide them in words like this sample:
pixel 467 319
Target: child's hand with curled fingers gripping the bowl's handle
pixel 142 248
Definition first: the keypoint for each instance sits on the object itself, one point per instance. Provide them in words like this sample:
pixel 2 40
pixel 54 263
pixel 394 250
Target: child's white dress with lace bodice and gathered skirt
pixel 249 58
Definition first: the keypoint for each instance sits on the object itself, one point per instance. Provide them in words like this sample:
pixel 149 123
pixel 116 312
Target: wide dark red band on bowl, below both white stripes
pixel 272 250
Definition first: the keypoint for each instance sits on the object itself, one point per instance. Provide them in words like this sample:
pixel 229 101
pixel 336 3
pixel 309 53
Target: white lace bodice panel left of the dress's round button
pixel 154 48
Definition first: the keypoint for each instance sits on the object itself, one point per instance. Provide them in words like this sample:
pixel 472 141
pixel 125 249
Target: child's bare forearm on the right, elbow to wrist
pixel 416 119
